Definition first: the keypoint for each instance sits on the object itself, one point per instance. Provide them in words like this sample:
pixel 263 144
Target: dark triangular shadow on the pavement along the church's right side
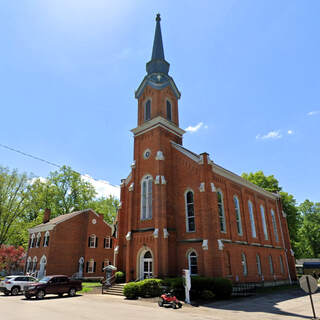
pixel 262 303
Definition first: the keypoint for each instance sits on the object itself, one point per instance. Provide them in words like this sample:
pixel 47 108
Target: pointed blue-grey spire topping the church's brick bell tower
pixel 157 64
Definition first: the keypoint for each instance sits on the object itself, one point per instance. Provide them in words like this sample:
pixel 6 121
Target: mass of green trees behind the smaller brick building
pixel 23 200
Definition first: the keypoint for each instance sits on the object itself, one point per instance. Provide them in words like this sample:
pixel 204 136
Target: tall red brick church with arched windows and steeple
pixel 181 210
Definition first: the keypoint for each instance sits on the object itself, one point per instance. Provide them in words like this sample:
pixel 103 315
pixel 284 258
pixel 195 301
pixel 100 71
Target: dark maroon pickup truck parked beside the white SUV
pixel 57 284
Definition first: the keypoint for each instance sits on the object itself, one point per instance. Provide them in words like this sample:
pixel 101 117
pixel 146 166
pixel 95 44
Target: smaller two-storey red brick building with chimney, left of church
pixel 74 244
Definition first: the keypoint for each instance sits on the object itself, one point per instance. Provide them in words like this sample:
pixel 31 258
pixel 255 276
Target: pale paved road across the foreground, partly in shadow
pixel 284 305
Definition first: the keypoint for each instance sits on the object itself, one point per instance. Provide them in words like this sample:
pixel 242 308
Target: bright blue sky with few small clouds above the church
pixel 248 72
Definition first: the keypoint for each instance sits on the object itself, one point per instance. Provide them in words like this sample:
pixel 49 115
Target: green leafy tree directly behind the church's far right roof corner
pixel 271 184
